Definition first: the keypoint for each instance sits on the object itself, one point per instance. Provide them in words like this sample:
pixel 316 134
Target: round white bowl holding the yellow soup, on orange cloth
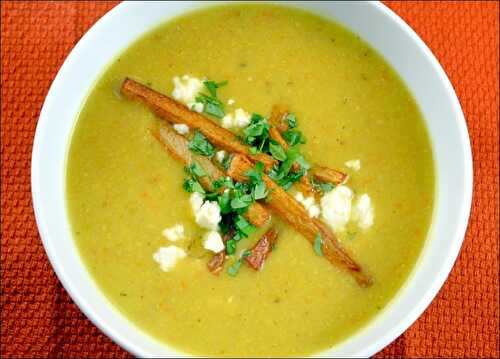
pixel 377 25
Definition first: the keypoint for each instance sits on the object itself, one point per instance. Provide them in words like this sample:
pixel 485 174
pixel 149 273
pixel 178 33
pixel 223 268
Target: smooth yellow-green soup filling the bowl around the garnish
pixel 124 190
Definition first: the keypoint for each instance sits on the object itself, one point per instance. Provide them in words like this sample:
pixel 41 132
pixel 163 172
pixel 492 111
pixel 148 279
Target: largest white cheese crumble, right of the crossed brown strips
pixel 336 207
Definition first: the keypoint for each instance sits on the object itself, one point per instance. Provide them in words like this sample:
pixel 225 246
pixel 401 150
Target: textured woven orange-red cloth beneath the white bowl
pixel 39 320
